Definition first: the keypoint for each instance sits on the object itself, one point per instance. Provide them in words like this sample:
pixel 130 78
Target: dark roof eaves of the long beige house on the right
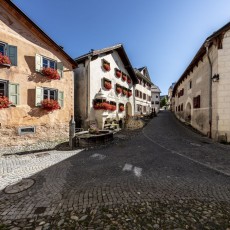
pixel 216 38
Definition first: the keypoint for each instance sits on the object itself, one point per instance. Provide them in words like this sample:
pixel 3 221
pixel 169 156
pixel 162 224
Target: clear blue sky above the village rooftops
pixel 163 35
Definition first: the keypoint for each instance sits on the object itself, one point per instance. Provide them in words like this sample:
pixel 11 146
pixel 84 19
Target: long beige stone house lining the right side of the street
pixel 202 94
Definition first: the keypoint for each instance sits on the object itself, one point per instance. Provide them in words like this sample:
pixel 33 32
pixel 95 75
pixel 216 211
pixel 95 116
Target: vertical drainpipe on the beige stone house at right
pixel 210 89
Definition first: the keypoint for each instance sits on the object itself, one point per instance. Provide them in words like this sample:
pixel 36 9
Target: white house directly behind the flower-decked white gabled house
pixel 143 91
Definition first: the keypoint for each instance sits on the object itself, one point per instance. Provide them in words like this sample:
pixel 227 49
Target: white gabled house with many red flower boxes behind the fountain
pixel 104 83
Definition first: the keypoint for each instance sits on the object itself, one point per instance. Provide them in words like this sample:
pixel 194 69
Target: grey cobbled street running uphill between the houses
pixel 164 176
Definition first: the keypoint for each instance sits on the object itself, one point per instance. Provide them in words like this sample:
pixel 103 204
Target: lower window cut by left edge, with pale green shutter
pixel 10 90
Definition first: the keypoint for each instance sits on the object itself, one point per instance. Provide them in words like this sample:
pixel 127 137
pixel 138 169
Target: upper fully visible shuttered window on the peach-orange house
pixel 44 62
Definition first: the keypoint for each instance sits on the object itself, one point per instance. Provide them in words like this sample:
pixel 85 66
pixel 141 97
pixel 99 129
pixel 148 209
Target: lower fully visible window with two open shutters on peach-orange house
pixel 49 93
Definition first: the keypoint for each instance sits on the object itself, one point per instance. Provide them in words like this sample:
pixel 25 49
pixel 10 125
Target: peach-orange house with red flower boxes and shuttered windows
pixel 36 79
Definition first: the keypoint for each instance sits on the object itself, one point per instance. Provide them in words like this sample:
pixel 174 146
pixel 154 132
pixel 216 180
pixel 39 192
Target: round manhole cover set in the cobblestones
pixel 20 186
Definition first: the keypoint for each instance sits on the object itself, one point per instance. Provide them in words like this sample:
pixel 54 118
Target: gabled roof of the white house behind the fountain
pixel 121 51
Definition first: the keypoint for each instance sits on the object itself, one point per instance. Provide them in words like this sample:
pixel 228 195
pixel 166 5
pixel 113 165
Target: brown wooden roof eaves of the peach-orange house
pixel 27 22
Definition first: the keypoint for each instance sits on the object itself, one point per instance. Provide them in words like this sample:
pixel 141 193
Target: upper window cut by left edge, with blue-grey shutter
pixel 10 51
